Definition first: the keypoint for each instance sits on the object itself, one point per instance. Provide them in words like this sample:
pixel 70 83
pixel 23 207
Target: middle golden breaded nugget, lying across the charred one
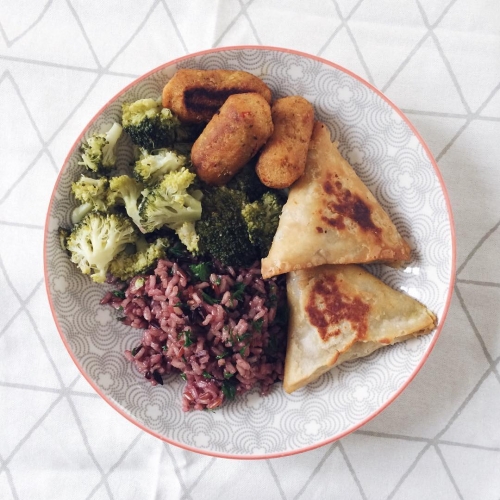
pixel 235 134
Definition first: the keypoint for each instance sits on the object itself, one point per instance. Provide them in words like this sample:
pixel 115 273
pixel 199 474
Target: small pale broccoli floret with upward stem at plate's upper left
pixel 98 153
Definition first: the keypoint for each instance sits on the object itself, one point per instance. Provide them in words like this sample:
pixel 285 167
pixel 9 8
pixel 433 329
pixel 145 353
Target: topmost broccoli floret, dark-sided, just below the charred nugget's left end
pixel 148 124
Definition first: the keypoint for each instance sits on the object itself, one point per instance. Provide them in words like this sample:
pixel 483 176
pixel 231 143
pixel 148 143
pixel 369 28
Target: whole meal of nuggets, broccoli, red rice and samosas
pixel 233 239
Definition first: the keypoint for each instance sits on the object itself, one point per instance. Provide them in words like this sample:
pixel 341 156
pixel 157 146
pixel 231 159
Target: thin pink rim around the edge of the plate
pixel 429 348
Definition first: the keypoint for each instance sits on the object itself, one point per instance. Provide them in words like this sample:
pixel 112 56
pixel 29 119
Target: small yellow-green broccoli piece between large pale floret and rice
pixel 124 266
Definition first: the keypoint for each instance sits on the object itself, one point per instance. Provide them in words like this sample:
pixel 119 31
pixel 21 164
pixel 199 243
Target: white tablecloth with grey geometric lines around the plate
pixel 438 60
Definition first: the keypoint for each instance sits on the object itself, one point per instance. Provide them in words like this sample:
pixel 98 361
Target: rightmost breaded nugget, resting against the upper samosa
pixel 283 159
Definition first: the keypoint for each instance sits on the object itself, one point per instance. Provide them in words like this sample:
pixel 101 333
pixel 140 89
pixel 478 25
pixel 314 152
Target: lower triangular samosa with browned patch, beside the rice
pixel 341 312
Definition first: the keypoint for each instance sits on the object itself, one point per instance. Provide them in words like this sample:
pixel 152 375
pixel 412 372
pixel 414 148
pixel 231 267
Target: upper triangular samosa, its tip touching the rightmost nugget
pixel 331 217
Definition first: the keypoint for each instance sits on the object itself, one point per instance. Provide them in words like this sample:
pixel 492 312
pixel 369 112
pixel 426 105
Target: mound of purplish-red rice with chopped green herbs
pixel 230 346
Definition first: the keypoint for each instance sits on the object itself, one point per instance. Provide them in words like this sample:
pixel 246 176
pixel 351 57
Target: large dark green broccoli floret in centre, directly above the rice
pixel 222 230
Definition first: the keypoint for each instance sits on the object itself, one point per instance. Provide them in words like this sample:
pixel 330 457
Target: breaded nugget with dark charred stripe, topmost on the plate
pixel 195 95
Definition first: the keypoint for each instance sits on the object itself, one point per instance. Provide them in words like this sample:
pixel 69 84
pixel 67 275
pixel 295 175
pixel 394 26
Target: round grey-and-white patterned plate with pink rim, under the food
pixel 393 161
